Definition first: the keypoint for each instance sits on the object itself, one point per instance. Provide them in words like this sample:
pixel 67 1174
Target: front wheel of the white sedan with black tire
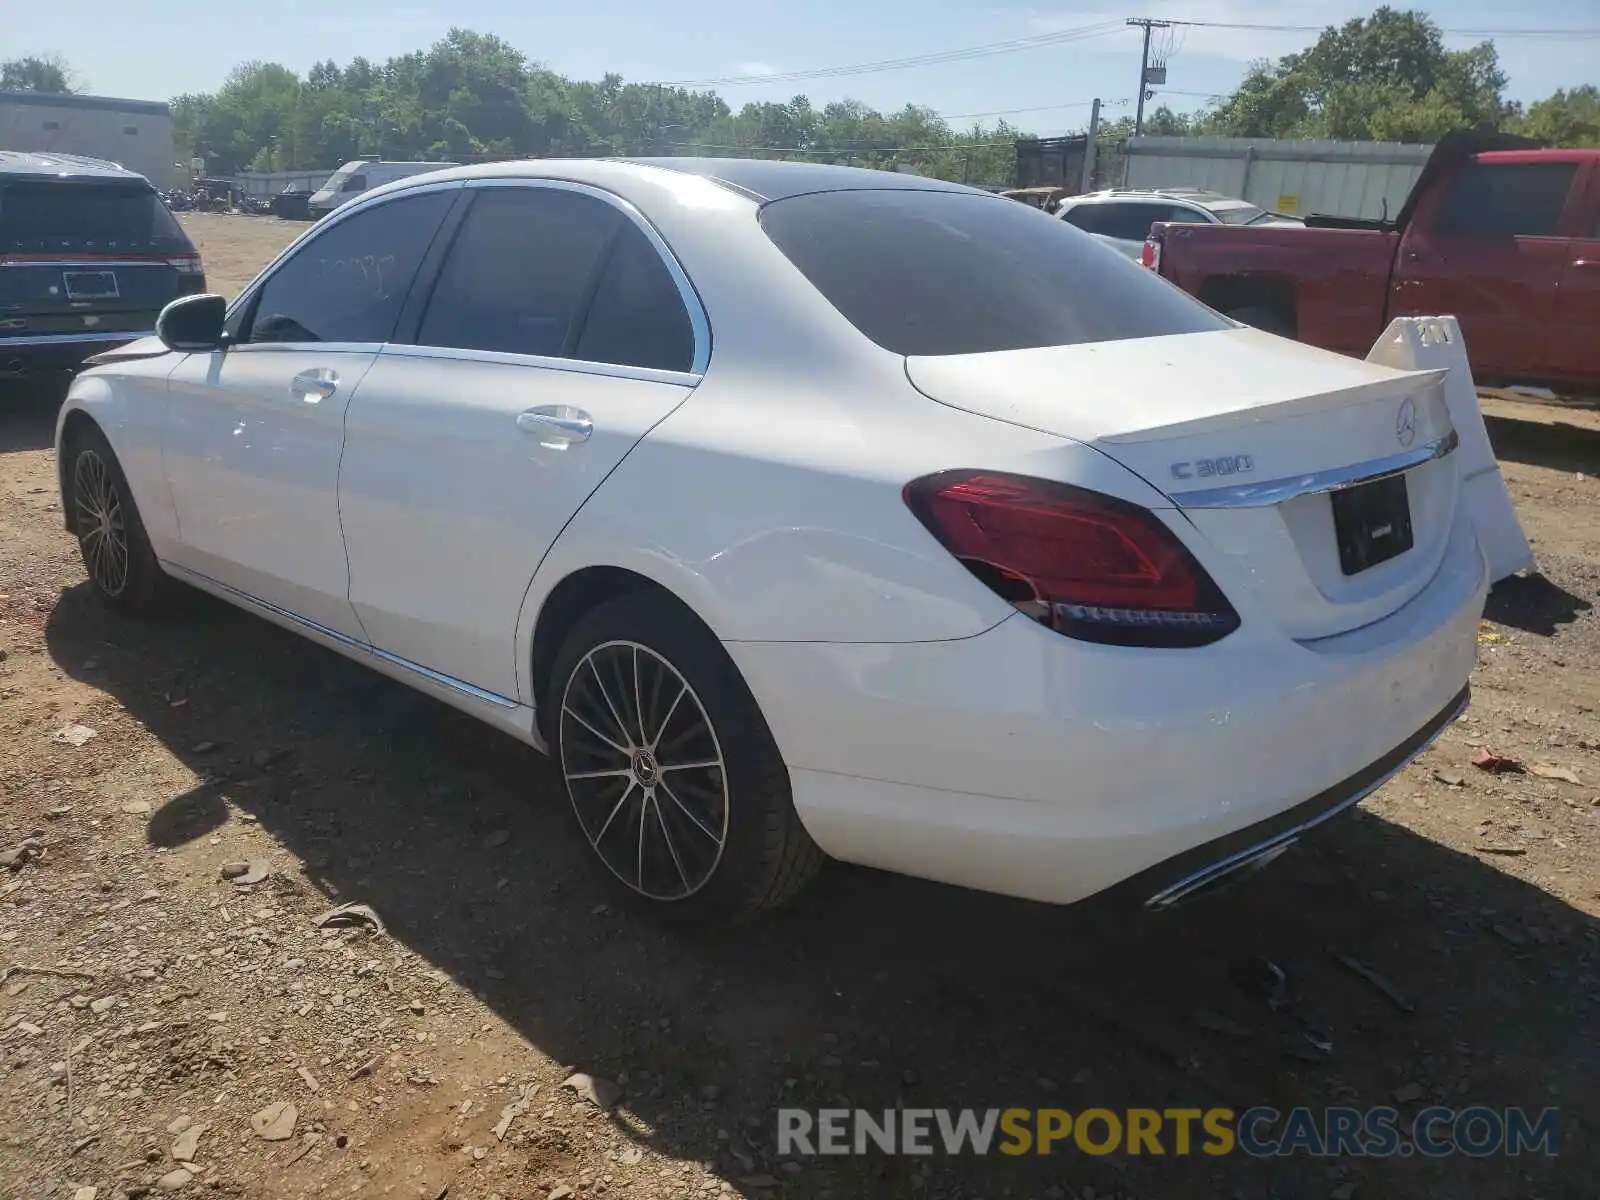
pixel 118 556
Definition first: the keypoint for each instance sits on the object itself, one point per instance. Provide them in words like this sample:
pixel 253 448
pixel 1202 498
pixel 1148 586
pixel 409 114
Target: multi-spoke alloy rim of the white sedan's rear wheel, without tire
pixel 646 770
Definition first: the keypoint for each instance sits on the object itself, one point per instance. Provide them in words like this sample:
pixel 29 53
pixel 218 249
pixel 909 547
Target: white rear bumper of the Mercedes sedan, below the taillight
pixel 1026 764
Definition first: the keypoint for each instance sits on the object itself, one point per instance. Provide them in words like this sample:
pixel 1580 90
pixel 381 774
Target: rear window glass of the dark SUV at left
pixel 87 220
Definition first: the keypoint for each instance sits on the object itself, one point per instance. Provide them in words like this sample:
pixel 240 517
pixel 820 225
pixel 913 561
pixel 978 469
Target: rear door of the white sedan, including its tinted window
pixel 559 332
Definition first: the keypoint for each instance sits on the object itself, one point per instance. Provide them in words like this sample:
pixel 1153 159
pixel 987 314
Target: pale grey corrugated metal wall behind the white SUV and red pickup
pixel 1364 180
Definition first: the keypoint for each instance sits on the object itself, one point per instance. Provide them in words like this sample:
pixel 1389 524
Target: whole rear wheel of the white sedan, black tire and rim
pixel 766 857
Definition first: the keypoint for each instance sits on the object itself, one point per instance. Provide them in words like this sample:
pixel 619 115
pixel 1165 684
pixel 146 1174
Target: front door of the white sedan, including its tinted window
pixel 254 433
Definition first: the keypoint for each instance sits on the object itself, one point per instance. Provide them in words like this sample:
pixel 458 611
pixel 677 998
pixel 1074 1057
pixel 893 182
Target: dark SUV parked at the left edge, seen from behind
pixel 89 257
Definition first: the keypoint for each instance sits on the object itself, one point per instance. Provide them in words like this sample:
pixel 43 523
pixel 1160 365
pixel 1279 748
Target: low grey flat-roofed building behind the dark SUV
pixel 137 135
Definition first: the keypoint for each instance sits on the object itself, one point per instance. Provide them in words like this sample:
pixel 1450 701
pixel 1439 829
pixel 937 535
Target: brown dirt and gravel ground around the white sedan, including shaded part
pixel 180 1001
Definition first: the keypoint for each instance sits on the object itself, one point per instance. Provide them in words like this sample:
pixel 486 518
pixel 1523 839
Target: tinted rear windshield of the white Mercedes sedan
pixel 951 273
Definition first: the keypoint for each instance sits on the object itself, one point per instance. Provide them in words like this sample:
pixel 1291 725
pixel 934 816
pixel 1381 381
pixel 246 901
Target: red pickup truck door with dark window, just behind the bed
pixel 1489 247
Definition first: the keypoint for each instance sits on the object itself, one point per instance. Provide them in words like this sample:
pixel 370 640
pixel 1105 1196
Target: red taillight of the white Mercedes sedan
pixel 1087 566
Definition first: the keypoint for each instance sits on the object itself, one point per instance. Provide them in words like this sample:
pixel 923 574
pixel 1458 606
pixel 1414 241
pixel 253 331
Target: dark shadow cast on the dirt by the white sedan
pixel 881 991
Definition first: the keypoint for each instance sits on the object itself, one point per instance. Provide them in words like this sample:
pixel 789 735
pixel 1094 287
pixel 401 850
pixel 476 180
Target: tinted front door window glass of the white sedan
pixel 348 286
